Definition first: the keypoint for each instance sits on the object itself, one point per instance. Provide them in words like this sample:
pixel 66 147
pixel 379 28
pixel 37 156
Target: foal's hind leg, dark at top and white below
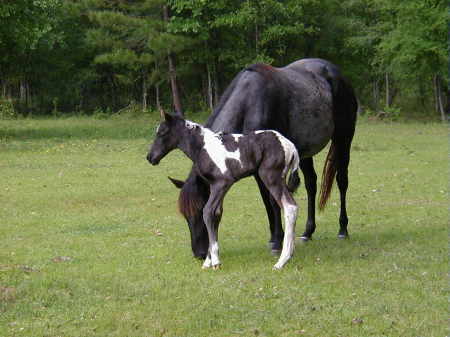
pixel 276 184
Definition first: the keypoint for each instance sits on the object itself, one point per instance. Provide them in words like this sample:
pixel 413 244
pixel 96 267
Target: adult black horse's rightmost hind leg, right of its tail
pixel 342 161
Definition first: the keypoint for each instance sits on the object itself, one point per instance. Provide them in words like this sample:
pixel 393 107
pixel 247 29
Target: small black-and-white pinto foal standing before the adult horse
pixel 222 159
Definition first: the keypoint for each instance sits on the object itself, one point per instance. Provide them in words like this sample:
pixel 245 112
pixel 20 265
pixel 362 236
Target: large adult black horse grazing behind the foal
pixel 310 103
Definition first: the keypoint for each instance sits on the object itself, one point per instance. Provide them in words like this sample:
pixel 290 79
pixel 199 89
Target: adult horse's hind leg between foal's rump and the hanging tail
pixel 310 177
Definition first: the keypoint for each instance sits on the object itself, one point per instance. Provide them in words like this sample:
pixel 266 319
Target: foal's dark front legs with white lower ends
pixel 212 213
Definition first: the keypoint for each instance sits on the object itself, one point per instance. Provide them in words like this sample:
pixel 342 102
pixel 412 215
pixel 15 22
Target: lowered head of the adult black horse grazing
pixel 194 194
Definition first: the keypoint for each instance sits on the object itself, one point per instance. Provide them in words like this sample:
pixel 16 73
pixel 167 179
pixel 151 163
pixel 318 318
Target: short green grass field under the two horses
pixel 91 243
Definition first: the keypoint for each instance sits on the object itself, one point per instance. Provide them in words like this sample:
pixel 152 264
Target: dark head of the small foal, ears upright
pixel 168 135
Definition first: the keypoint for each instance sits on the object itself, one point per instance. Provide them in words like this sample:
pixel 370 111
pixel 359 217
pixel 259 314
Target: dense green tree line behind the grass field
pixel 103 55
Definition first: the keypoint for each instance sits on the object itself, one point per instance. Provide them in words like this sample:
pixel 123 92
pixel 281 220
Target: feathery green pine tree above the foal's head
pixel 132 43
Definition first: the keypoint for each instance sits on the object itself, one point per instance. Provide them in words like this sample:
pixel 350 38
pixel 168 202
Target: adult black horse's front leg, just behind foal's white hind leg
pixel 274 216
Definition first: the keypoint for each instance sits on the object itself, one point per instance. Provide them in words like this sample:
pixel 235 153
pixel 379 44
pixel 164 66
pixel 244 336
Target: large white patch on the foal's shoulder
pixel 217 151
